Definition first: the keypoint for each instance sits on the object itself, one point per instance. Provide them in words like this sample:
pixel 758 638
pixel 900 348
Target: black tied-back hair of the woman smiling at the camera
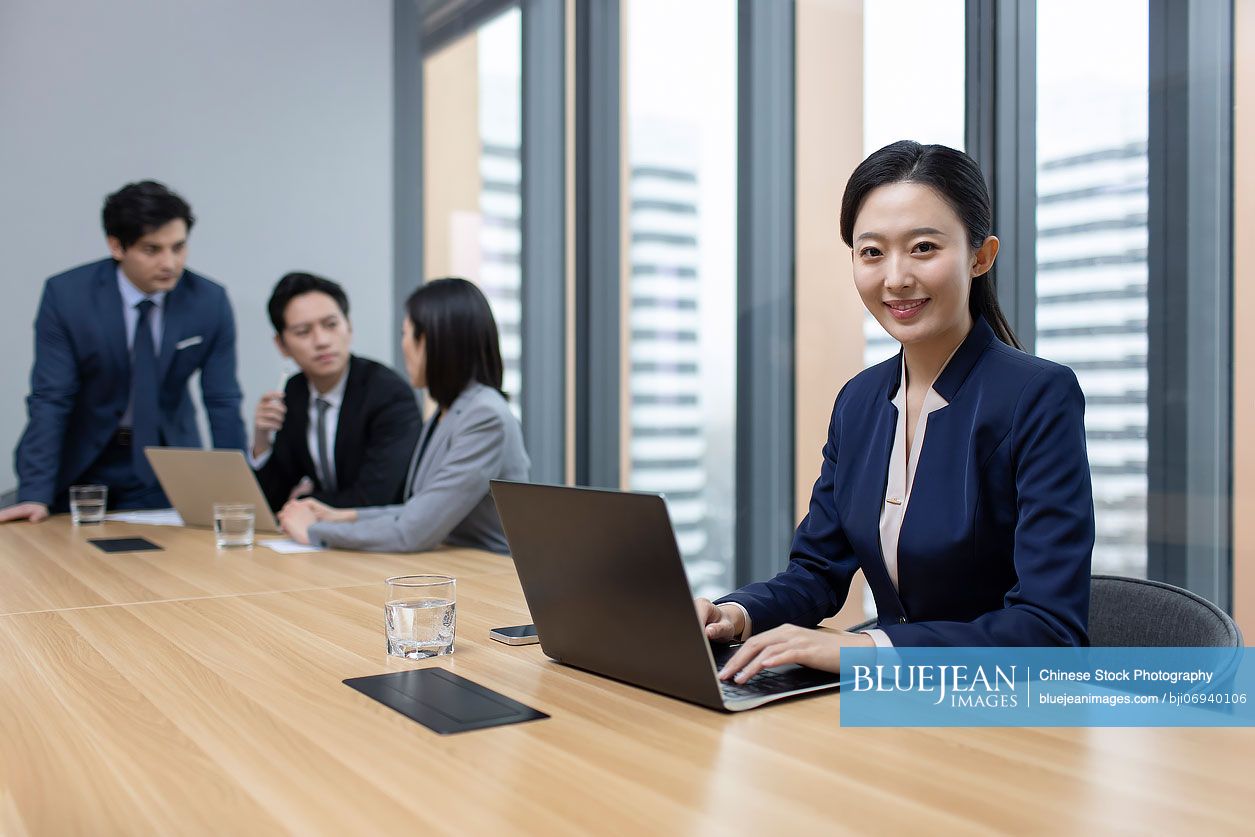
pixel 957 179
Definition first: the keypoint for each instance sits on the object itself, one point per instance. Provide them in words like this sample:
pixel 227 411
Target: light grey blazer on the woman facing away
pixel 447 499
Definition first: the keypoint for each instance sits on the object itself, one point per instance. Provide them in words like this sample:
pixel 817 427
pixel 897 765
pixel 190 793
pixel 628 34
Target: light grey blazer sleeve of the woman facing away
pixel 427 519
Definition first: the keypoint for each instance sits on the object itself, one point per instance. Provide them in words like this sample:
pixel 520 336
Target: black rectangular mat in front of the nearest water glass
pixel 444 702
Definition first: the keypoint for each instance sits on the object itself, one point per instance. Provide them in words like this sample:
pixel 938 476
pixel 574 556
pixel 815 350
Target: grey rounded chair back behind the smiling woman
pixel 1139 613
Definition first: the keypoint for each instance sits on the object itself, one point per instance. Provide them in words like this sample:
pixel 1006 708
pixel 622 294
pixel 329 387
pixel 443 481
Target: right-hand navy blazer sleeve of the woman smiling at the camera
pixel 1055 531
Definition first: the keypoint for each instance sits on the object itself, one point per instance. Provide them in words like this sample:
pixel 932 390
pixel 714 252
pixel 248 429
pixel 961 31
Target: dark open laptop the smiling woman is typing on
pixel 606 584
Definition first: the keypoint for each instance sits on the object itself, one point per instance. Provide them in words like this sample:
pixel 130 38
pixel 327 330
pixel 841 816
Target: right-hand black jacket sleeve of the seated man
pixel 392 432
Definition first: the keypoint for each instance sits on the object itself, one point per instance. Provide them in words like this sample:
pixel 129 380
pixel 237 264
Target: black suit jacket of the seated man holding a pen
pixel 375 439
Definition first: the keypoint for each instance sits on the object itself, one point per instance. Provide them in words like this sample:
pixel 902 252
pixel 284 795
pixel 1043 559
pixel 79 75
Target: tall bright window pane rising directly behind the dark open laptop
pixel 680 302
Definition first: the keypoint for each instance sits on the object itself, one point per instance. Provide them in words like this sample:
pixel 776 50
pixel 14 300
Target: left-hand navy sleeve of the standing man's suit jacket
pixel 53 388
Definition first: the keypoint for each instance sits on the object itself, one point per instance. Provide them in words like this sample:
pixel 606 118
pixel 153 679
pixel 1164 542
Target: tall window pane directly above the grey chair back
pixel 1092 247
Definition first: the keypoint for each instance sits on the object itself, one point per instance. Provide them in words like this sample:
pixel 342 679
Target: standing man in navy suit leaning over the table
pixel 116 342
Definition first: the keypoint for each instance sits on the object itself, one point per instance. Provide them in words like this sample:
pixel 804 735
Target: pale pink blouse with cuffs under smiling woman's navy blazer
pixel 898 485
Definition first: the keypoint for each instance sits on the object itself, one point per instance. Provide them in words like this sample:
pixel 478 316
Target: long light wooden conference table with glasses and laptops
pixel 193 691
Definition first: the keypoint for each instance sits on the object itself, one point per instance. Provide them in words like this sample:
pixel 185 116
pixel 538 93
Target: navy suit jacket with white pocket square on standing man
pixel 81 382
